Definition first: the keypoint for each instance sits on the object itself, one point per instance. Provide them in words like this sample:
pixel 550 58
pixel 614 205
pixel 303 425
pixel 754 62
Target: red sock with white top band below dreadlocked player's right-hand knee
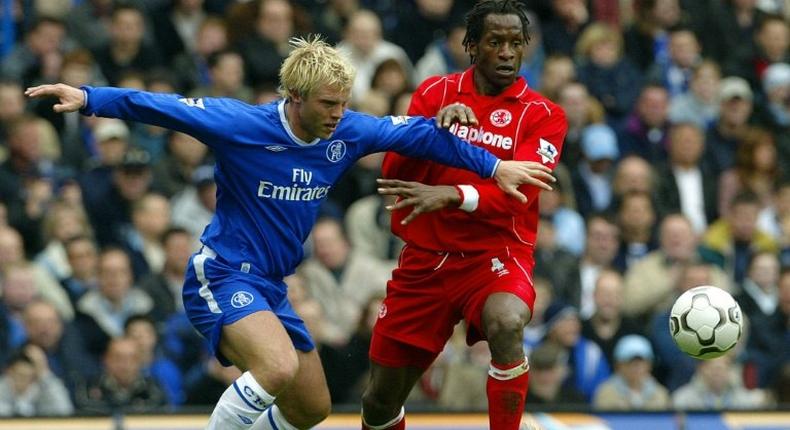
pixel 506 398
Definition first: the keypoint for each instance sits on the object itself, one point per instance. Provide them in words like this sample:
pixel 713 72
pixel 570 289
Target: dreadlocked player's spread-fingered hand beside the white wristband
pixel 424 198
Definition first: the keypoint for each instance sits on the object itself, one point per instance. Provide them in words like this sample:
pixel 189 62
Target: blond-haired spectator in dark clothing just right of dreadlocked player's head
pixel 606 72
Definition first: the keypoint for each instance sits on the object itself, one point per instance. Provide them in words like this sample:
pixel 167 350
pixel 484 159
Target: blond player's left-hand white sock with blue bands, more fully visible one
pixel 240 405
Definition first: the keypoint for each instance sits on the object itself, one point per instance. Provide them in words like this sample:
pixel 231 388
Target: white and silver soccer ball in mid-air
pixel 705 322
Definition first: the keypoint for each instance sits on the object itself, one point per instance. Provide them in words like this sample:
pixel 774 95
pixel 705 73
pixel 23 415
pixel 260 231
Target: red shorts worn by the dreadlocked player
pixel 431 292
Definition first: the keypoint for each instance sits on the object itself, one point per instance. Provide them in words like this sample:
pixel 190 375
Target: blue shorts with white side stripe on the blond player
pixel 216 295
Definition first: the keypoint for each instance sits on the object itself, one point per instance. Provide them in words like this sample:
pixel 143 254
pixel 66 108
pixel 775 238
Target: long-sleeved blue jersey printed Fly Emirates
pixel 270 183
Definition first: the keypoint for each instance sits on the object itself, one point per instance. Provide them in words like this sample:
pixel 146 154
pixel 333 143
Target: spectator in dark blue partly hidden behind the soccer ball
pixel 674 367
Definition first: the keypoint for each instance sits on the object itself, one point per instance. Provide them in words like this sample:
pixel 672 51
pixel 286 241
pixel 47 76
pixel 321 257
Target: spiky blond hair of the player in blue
pixel 313 64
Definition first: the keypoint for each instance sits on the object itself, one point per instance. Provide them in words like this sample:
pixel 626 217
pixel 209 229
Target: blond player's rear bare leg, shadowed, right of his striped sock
pixel 306 401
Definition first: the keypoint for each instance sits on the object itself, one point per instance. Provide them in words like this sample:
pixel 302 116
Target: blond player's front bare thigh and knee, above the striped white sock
pixel 258 342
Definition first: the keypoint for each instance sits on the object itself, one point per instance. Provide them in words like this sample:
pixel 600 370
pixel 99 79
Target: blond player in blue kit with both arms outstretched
pixel 275 166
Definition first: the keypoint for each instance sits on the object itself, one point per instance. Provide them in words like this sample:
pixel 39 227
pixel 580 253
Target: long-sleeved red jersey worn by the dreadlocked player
pixel 518 124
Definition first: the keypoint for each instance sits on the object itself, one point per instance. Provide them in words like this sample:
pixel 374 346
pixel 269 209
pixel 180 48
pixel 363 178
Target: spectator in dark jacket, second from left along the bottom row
pixel 122 386
